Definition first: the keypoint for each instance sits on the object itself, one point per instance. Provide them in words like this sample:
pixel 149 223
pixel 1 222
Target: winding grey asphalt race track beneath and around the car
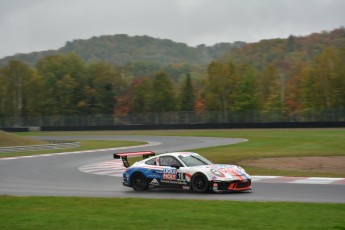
pixel 59 175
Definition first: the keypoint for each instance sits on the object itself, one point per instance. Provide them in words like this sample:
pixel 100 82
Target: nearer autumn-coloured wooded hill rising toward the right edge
pixel 293 49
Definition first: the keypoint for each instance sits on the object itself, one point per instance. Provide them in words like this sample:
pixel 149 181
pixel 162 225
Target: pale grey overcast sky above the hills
pixel 37 25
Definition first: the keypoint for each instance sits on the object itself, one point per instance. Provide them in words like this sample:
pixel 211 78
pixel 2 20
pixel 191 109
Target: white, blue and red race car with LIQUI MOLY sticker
pixel 182 170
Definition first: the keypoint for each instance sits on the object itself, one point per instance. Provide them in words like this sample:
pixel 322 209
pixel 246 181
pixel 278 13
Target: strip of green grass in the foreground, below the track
pixel 128 213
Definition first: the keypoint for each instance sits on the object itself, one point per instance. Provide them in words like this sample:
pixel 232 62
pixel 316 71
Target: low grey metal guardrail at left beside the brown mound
pixel 63 145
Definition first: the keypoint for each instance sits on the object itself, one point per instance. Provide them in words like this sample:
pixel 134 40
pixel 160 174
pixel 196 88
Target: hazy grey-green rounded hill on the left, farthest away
pixel 123 50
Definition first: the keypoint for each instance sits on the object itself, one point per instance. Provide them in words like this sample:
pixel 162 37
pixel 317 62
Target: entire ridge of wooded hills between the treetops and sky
pixel 145 51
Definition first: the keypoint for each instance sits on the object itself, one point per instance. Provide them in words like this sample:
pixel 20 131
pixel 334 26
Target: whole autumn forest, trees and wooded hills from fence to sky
pixel 293 79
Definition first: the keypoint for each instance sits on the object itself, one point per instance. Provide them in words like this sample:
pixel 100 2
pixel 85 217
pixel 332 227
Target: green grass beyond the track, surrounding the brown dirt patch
pixel 261 143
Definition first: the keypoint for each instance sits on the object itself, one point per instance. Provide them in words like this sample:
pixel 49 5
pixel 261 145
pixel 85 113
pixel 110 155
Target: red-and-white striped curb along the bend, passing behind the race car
pixel 116 168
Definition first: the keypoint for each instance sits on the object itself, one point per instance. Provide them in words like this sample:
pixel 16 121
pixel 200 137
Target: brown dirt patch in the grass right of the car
pixel 307 164
